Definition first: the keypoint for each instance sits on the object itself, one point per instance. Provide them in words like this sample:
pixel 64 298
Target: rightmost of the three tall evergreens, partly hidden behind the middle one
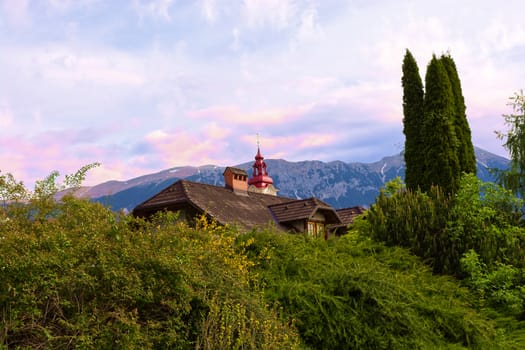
pixel 465 150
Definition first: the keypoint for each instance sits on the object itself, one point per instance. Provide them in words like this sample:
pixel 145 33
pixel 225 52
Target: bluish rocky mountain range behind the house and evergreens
pixel 338 183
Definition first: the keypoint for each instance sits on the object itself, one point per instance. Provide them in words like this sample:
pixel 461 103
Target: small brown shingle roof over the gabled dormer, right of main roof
pixel 303 209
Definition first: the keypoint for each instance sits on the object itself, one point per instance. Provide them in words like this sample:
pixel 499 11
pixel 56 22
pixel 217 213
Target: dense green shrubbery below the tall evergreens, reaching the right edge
pixel 477 235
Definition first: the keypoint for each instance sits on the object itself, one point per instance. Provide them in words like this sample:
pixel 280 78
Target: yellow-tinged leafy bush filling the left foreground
pixel 76 275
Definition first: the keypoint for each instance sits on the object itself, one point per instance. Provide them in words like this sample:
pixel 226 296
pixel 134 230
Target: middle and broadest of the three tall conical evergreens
pixel 438 132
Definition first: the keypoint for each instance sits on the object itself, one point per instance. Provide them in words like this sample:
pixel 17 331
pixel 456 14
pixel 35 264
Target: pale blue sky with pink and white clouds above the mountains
pixel 142 86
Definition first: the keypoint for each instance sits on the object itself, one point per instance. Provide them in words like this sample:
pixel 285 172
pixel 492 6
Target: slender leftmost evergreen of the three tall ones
pixel 412 121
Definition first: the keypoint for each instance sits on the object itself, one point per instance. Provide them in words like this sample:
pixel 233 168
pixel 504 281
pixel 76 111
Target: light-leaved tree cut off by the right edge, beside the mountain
pixel 514 137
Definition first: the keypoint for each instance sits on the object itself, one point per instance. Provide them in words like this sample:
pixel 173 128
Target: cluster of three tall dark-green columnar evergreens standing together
pixel 438 145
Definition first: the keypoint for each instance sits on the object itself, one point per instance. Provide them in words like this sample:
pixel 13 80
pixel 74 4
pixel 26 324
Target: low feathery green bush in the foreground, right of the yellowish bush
pixel 352 293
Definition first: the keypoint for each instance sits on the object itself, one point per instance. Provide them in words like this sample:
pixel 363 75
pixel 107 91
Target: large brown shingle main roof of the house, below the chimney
pixel 221 203
